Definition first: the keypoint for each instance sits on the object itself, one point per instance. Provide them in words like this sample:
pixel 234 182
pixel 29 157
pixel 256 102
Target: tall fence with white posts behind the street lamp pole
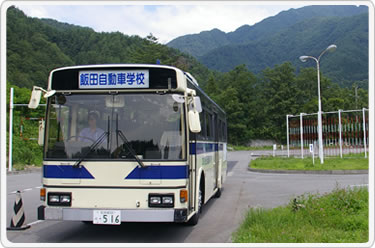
pixel 344 132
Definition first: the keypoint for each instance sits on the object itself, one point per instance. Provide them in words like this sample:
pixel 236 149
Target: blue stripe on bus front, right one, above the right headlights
pixel 159 172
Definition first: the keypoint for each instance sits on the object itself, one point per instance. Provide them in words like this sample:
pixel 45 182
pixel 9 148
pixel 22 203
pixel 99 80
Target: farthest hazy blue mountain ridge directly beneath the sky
pixel 199 44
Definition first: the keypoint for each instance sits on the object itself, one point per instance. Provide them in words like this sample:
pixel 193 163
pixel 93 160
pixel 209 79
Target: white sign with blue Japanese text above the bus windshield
pixel 113 79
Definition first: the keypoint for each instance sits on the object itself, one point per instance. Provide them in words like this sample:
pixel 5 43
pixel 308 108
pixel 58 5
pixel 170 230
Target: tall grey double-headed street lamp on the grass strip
pixel 330 48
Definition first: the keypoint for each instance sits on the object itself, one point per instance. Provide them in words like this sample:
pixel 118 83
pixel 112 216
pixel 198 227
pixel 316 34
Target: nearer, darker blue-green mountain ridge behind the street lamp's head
pixel 349 62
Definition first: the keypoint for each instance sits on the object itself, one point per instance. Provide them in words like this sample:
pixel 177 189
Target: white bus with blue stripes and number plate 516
pixel 129 143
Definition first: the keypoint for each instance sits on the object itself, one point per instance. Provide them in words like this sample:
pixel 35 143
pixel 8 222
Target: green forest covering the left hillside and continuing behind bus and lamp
pixel 256 104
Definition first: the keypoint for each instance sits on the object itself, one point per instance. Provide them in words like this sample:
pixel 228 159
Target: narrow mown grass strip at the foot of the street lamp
pixel 281 163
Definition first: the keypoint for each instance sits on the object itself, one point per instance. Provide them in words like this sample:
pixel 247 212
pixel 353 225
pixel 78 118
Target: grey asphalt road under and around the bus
pixel 220 217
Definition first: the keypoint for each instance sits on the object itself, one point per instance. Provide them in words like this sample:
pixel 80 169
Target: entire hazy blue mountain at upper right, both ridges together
pixel 285 37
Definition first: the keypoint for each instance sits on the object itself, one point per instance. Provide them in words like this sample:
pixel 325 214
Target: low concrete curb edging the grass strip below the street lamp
pixel 316 172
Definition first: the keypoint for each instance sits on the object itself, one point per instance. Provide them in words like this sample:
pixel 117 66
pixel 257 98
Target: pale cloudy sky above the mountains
pixel 166 21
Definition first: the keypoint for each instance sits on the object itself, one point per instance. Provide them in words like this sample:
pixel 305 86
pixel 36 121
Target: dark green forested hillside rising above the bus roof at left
pixel 36 46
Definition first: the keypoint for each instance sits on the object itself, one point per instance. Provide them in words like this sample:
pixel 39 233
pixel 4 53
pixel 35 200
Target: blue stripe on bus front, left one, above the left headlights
pixel 66 171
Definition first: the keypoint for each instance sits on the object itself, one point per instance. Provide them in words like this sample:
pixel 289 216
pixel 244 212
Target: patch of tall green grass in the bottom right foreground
pixel 338 217
